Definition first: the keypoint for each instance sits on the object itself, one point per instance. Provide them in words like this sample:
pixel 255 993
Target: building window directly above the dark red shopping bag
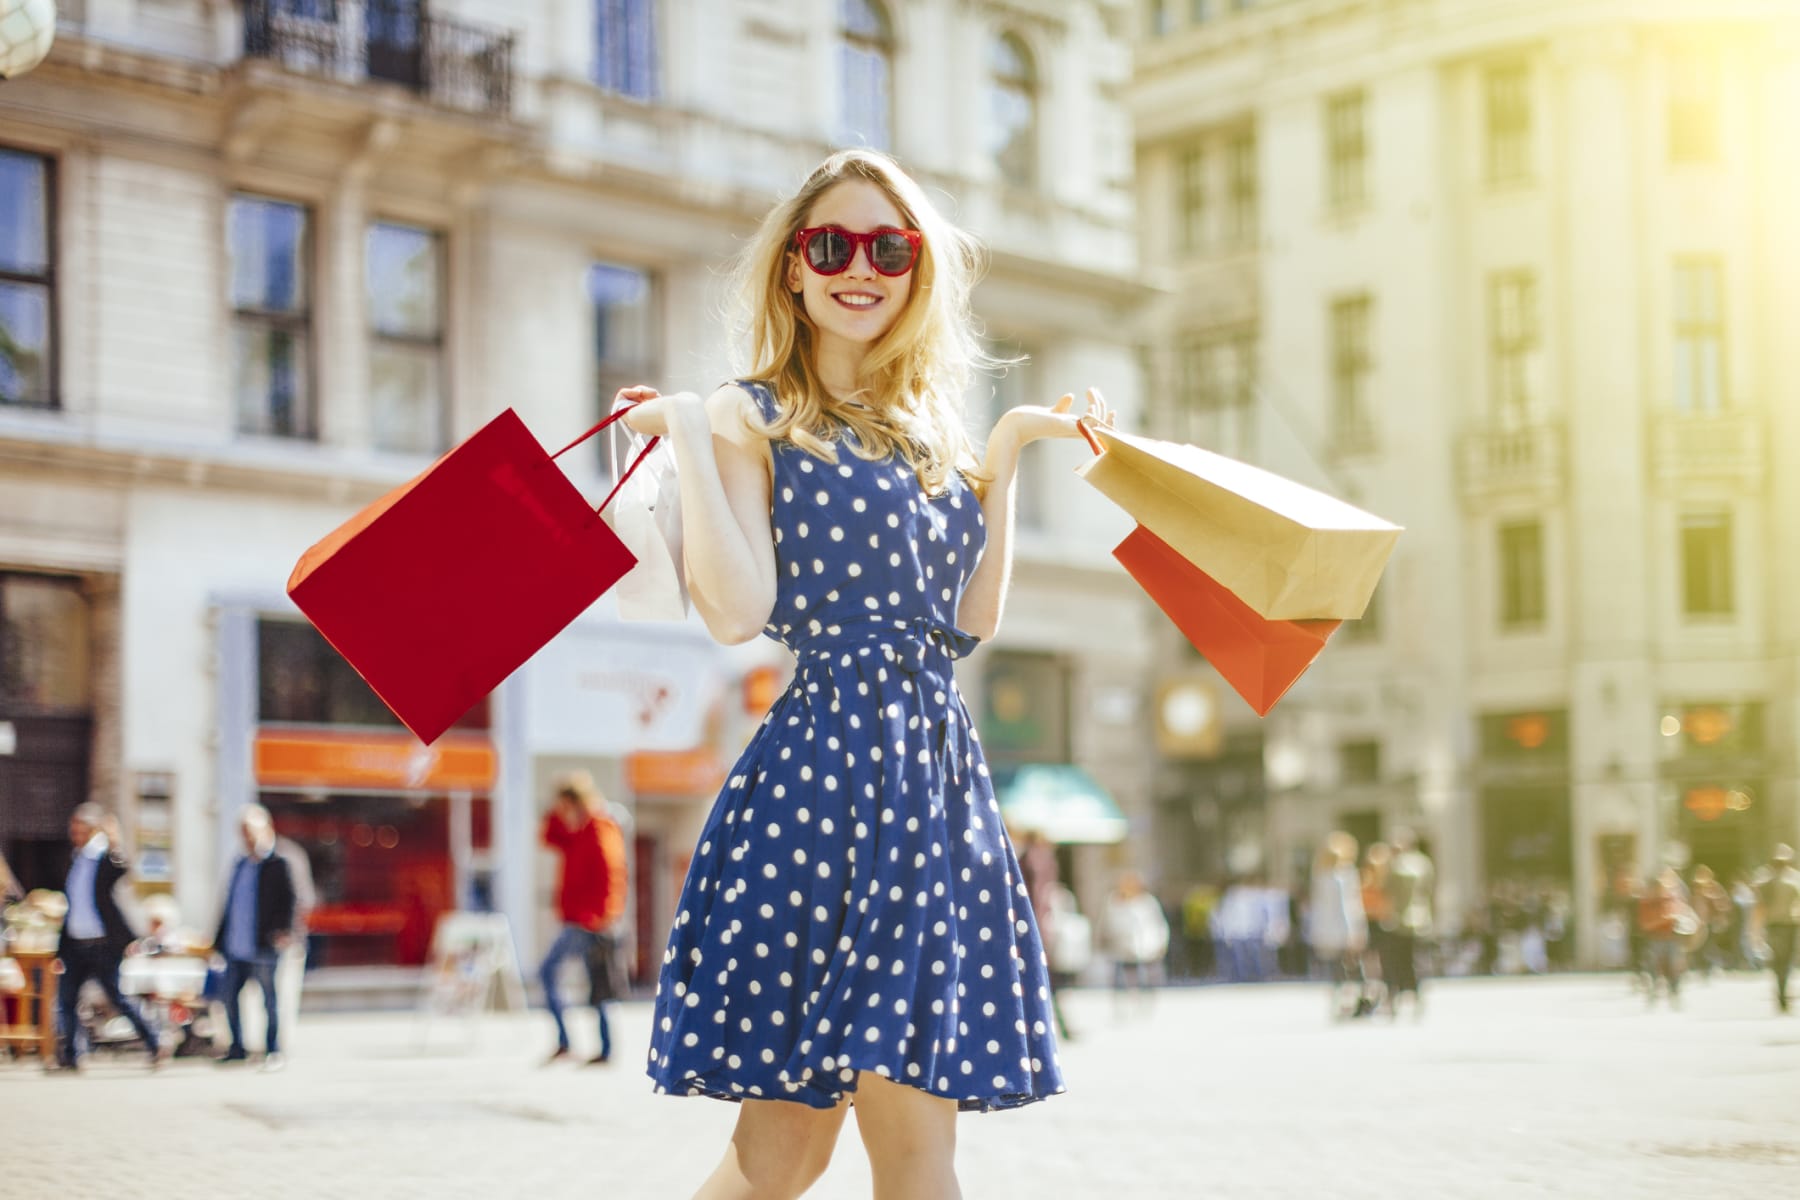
pixel 406 334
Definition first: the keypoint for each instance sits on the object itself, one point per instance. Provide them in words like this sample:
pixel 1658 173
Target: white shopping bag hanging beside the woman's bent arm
pixel 647 519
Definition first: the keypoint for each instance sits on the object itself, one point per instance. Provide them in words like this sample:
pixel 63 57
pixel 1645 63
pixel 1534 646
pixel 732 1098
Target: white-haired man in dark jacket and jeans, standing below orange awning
pixel 255 929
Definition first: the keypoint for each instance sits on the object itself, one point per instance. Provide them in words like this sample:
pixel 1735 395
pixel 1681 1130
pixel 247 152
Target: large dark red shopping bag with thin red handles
pixel 445 586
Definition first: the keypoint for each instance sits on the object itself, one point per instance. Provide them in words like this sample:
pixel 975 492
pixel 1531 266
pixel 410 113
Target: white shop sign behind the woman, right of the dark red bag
pixel 611 690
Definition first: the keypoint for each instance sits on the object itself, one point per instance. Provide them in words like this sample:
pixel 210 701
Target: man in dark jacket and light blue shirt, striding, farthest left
pixel 94 935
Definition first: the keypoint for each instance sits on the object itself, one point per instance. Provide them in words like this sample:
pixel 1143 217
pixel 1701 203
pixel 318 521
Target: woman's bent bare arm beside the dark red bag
pixel 724 505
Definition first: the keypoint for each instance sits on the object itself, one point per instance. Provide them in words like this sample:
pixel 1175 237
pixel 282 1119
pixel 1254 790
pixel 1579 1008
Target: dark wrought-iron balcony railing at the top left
pixel 451 64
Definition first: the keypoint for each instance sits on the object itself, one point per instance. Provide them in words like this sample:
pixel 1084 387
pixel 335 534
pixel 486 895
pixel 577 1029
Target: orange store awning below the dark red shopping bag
pixel 370 760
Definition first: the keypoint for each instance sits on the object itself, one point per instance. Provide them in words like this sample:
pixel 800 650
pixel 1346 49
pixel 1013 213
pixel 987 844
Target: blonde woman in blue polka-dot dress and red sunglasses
pixel 854 924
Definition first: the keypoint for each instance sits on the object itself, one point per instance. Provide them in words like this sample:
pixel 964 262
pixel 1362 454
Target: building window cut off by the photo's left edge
pixel 28 282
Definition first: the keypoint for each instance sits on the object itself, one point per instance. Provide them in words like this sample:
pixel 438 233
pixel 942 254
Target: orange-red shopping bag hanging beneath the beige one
pixel 1259 658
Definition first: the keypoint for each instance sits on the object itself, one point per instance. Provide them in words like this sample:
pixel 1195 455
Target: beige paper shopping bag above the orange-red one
pixel 1284 550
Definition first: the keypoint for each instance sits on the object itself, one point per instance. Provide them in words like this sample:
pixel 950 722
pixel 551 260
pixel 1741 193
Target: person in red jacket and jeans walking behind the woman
pixel 589 902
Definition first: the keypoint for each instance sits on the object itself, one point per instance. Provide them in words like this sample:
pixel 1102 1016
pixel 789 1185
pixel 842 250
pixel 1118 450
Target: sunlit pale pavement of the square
pixel 1536 1088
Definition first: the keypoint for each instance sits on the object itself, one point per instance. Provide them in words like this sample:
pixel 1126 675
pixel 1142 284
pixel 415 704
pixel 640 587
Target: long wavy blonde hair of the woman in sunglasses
pixel 910 388
